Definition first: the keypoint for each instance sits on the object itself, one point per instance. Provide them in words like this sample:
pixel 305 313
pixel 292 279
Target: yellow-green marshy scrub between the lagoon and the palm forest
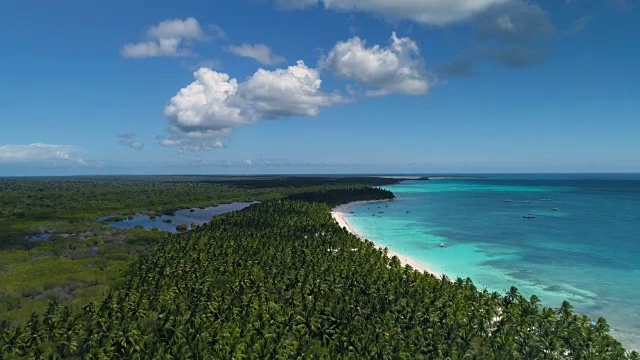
pixel 68 270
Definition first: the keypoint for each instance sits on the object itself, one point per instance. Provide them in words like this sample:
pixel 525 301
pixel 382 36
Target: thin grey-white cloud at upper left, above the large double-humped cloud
pixel 170 38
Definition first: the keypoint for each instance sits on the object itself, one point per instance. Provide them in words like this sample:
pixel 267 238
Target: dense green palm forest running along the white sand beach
pixel 282 280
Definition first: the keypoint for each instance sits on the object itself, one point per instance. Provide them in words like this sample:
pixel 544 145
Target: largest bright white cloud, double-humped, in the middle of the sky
pixel 207 110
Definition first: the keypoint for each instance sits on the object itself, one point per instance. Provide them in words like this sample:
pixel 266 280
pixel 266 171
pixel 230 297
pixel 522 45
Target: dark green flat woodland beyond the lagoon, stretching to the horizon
pixel 71 205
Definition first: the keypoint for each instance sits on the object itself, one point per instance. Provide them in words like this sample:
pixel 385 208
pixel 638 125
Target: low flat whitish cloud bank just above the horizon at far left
pixel 38 152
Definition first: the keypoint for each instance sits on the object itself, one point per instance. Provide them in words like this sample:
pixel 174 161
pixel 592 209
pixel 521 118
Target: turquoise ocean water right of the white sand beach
pixel 583 244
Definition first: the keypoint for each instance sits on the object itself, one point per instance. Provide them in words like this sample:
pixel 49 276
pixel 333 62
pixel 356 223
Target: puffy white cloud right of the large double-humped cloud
pixel 398 68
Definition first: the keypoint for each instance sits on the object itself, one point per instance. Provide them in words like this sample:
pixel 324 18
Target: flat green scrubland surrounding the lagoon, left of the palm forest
pixel 84 258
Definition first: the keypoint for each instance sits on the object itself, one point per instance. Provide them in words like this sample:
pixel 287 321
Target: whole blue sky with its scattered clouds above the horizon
pixel 328 86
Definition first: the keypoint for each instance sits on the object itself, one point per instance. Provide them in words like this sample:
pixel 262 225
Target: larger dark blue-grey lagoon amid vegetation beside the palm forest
pixel 185 216
